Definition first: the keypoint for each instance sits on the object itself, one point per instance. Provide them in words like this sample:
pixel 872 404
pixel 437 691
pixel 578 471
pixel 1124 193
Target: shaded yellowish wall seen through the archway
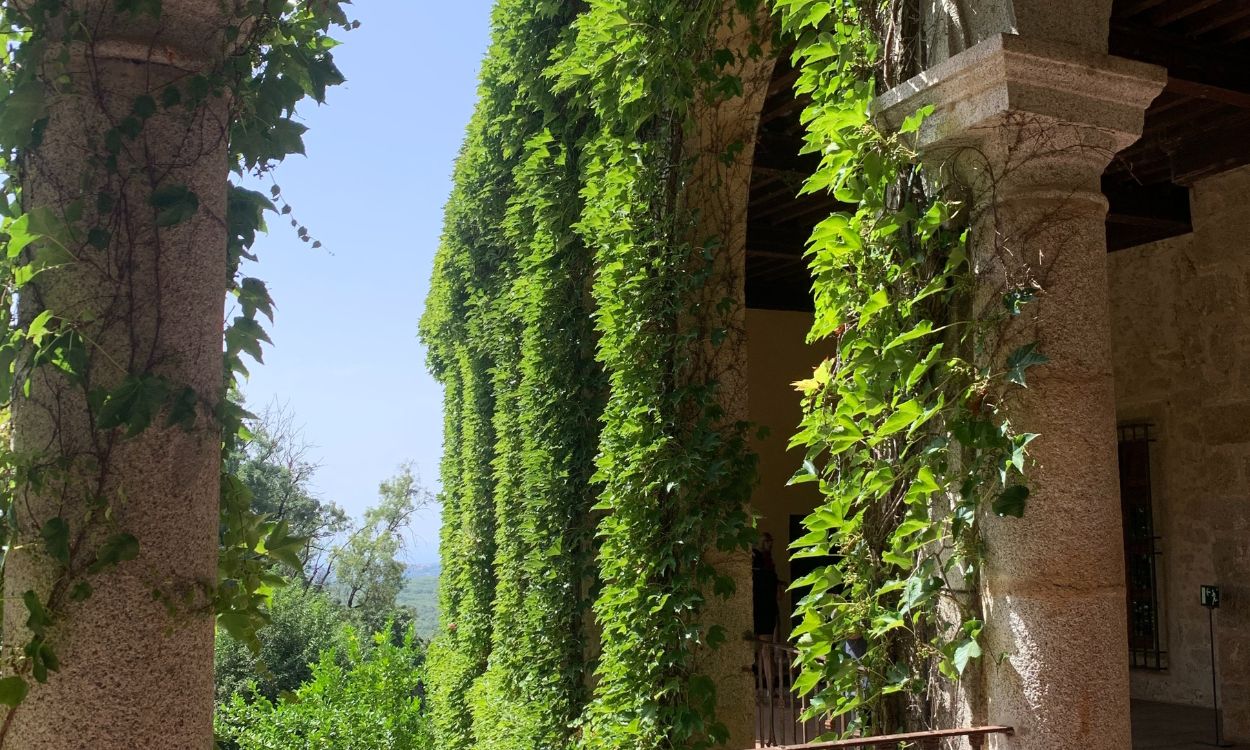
pixel 777 358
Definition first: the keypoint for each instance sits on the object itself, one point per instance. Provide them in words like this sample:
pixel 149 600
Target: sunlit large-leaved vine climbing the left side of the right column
pixel 906 426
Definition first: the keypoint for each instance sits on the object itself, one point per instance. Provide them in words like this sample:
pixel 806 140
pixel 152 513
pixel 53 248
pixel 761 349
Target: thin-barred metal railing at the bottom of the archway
pixel 779 713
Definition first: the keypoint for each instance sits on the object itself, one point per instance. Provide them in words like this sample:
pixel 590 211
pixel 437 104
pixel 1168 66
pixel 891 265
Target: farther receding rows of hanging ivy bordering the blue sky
pixel 509 294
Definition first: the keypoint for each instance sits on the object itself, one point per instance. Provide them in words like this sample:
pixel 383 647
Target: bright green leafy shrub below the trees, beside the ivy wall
pixel 367 698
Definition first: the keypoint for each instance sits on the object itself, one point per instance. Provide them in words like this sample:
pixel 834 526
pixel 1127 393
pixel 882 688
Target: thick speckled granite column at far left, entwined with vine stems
pixel 151 301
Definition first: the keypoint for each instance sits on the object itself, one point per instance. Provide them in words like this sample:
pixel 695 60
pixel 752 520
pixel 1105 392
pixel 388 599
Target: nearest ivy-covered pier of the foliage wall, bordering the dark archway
pixel 677 477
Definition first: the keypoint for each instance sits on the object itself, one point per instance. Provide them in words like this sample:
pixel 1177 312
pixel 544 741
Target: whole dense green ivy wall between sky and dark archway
pixel 588 471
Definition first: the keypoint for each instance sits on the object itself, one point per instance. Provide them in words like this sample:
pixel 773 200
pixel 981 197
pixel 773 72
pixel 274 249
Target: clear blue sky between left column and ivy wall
pixel 347 361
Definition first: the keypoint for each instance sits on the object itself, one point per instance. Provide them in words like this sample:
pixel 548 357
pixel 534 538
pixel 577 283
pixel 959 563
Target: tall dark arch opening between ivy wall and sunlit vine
pixel 779 314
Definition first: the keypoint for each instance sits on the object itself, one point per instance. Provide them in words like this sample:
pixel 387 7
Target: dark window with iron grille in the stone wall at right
pixel 1142 549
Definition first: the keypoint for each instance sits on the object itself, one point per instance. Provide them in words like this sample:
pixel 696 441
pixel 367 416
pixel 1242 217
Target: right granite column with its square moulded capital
pixel 1029 127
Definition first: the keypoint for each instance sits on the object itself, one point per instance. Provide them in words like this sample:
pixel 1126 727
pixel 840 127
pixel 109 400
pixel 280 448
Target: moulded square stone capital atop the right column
pixel 1011 78
